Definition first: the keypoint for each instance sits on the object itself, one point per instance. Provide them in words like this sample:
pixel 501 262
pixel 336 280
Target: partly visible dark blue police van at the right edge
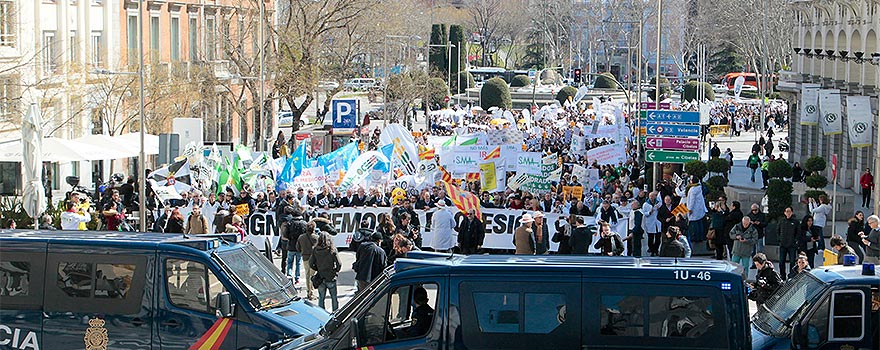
pixel 833 307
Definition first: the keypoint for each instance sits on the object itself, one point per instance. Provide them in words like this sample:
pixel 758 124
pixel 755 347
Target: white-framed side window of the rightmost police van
pixel 847 311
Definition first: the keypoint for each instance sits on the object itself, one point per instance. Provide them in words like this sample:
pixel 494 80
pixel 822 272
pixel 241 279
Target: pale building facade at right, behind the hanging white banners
pixel 835 46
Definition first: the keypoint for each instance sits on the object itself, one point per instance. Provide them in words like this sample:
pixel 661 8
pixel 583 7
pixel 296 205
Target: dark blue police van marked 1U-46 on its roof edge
pixel 442 301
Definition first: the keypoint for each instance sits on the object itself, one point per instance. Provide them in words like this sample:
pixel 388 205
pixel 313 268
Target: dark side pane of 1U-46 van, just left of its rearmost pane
pixel 622 315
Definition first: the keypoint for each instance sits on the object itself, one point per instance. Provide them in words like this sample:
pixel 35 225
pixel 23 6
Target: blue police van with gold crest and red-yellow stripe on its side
pixel 112 290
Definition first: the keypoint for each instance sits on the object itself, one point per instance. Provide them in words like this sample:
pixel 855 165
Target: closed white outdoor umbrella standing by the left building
pixel 34 195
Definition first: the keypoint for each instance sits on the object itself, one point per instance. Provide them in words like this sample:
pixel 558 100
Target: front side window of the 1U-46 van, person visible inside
pixel 407 312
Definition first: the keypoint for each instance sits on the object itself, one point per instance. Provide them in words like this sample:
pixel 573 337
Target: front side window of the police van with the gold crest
pixel 191 286
